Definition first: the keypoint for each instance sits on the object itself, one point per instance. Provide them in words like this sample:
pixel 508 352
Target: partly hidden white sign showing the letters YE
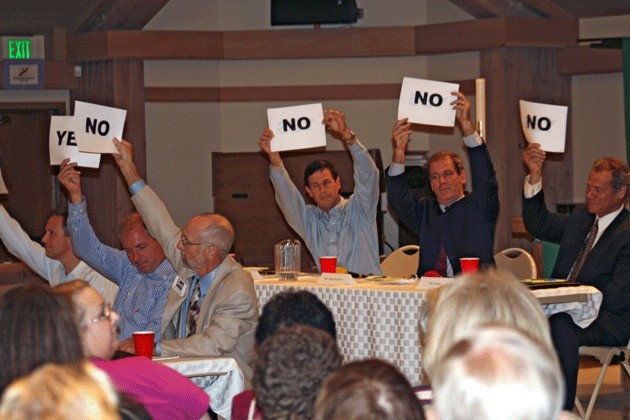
pixel 62 144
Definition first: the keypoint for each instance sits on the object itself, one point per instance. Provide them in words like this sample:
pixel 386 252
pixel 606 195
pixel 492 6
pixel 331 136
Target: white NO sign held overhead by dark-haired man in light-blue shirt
pixel 297 127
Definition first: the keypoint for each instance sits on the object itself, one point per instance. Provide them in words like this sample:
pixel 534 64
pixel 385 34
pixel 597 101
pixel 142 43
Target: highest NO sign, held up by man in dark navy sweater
pixel 427 102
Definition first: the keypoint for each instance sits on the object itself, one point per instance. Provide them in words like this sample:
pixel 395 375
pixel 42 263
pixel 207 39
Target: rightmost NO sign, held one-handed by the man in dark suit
pixel 545 124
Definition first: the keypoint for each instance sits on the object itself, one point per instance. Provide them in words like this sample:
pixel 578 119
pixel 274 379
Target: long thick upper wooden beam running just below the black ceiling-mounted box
pixel 324 43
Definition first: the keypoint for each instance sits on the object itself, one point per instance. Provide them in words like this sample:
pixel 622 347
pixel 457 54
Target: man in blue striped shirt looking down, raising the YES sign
pixel 141 270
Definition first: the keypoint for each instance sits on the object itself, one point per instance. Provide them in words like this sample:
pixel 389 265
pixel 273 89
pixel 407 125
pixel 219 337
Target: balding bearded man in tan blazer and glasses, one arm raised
pixel 211 309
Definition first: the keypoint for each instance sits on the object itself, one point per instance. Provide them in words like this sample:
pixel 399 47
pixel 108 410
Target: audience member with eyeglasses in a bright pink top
pixel 165 393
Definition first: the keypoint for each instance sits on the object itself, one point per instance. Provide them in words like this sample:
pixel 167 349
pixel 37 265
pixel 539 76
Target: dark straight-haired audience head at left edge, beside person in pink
pixel 36 327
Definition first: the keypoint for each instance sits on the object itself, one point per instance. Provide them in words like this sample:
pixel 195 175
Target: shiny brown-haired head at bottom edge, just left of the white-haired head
pixel 367 390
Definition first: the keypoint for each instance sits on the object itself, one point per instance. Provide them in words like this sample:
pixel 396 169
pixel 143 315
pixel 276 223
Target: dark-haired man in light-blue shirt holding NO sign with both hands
pixel 335 226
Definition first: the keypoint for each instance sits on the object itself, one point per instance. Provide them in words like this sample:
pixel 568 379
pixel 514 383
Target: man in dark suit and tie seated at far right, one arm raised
pixel 594 250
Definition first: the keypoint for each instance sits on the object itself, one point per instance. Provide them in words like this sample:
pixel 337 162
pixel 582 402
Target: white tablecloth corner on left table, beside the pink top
pixel 220 377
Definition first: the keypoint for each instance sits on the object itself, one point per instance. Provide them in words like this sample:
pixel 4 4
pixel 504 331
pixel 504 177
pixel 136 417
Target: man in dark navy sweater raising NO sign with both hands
pixel 457 224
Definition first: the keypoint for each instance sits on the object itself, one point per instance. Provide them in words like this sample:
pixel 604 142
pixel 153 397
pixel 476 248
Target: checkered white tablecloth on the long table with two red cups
pixel 376 320
